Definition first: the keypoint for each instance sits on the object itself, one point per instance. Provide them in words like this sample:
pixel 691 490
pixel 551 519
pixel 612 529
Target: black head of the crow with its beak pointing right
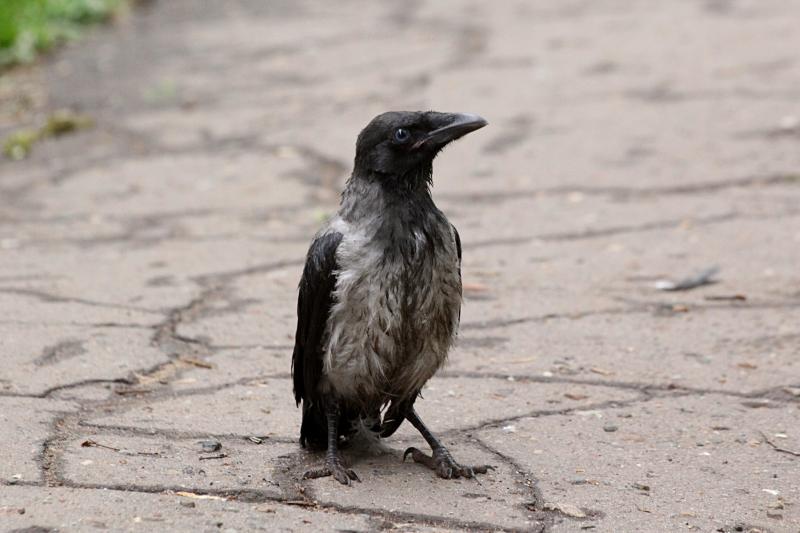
pixel 398 147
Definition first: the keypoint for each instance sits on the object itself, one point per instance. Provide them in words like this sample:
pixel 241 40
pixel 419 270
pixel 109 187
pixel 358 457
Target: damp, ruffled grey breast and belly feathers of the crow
pixel 396 310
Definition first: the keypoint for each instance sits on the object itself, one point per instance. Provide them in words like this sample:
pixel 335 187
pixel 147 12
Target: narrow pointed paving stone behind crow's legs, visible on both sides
pixel 265 406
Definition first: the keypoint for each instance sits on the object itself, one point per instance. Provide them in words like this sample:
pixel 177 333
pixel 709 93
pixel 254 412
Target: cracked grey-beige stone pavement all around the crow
pixel 149 266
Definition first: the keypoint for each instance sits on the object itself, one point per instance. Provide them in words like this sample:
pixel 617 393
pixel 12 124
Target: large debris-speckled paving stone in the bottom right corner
pixel 686 462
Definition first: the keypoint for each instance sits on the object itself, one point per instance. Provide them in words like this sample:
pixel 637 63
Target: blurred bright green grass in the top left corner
pixel 28 27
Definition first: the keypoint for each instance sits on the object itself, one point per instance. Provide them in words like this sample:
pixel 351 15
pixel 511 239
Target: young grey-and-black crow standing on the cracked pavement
pixel 379 300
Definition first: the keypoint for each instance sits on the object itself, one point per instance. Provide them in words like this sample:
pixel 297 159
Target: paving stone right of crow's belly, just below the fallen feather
pixel 689 348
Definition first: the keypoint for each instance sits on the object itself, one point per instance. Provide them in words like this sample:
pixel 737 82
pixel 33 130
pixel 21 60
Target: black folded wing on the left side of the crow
pixel 313 307
